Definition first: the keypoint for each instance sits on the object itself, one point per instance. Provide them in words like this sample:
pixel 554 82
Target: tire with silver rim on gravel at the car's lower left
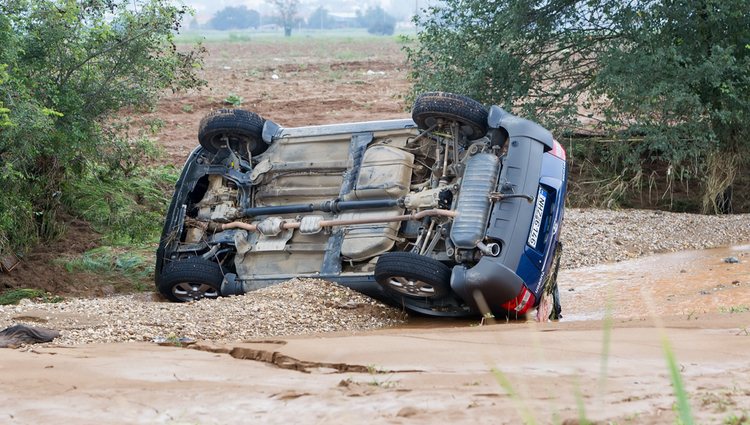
pixel 191 279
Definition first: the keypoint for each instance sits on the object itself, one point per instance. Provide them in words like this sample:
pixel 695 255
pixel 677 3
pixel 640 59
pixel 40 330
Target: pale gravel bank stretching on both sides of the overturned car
pixel 310 306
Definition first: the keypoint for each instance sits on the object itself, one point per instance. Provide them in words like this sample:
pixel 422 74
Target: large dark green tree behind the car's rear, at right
pixel 670 79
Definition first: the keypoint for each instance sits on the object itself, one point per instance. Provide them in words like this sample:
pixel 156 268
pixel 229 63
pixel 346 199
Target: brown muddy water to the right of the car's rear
pixel 681 283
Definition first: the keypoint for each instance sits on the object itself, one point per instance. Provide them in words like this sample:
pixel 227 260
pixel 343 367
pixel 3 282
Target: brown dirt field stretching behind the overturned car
pixel 293 82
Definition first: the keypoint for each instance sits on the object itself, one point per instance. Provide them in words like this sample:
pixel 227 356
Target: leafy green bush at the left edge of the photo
pixel 66 68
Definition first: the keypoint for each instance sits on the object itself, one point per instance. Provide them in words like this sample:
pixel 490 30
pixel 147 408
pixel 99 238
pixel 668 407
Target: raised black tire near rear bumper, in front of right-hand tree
pixel 471 115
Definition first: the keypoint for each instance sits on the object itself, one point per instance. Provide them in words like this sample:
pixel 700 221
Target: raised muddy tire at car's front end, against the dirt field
pixel 243 129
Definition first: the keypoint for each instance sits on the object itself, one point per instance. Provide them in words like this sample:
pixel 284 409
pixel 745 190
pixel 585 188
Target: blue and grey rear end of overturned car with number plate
pixel 527 232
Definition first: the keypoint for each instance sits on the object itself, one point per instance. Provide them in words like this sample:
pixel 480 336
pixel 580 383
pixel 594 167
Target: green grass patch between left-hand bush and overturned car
pixel 128 210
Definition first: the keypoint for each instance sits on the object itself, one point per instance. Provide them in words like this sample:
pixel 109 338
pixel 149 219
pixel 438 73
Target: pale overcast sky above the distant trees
pixel 402 9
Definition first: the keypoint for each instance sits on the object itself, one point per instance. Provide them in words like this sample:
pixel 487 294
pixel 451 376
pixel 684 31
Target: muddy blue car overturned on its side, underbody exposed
pixel 454 212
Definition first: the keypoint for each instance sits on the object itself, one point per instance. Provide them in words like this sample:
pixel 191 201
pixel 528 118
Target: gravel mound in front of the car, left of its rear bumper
pixel 295 307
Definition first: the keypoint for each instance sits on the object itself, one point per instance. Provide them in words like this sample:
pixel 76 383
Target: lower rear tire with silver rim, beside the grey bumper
pixel 412 275
